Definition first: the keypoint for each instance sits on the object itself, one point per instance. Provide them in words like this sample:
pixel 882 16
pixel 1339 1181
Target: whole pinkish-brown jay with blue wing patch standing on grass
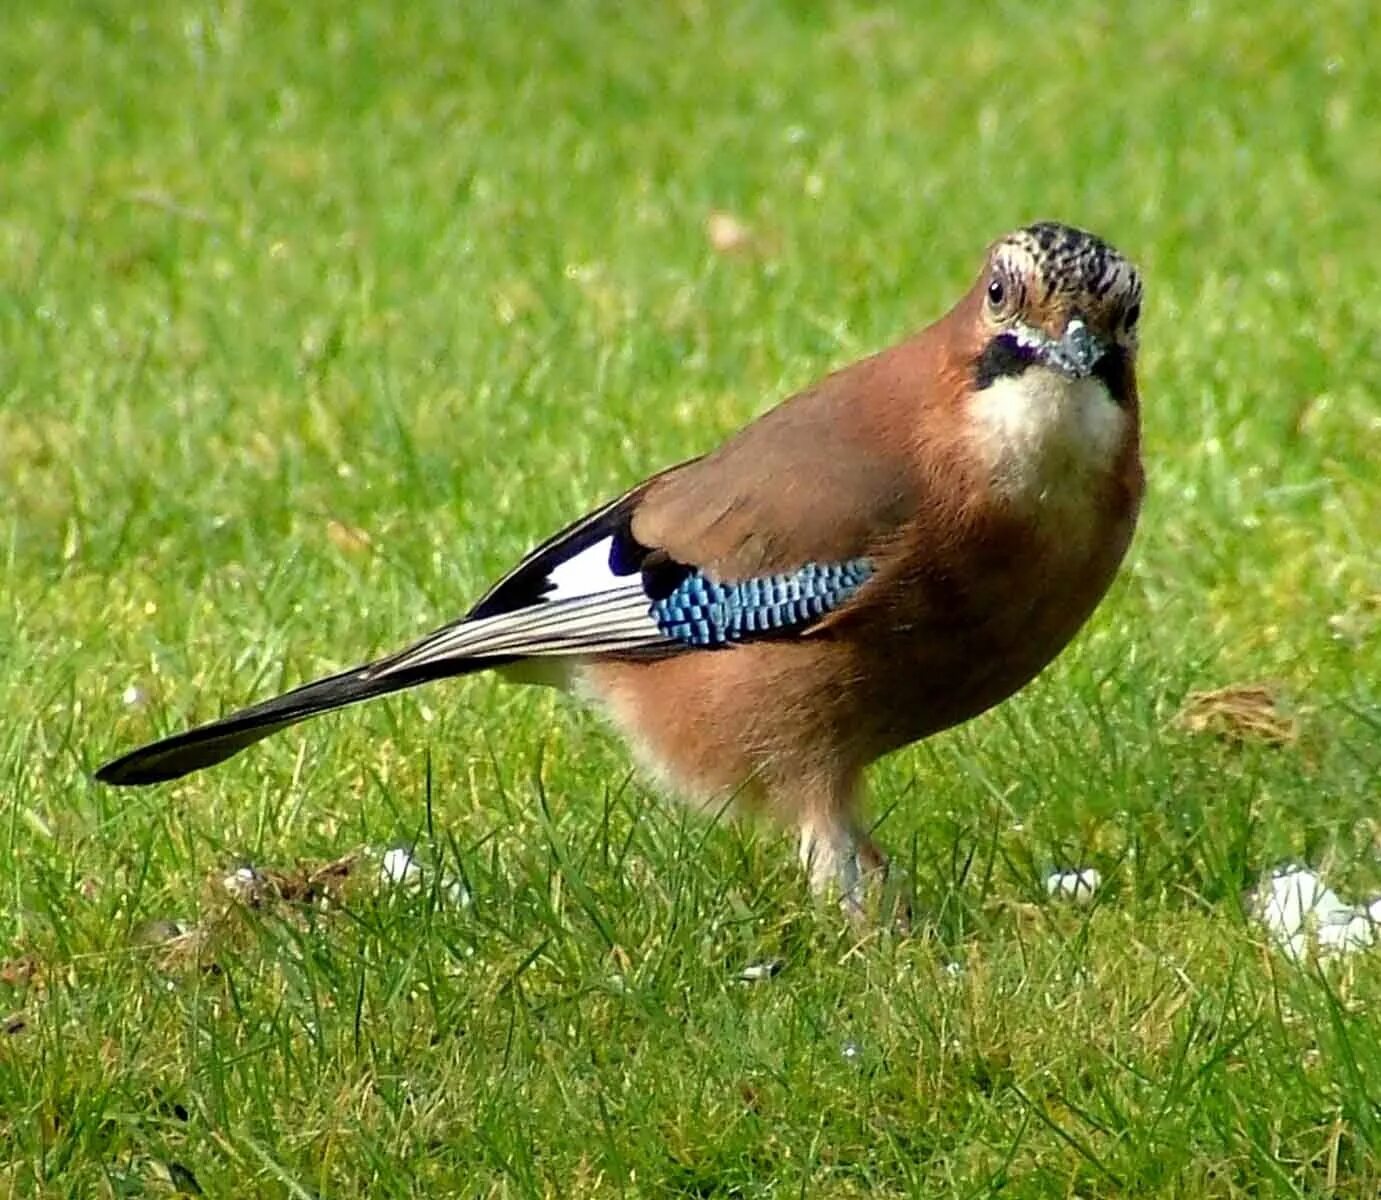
pixel 879 559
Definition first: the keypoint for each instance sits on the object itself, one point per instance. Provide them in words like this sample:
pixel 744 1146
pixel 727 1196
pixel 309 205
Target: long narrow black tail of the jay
pixel 208 745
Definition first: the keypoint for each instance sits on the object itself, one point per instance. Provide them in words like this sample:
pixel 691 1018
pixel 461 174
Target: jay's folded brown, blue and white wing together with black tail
pixel 770 536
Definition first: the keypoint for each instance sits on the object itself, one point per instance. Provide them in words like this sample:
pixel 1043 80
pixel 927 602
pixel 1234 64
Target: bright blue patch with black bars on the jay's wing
pixel 699 612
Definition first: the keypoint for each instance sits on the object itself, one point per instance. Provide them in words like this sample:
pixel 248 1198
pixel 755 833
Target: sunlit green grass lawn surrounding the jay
pixel 276 273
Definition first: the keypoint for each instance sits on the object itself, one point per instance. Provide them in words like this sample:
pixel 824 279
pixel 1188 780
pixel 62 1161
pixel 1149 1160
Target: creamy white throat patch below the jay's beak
pixel 1047 438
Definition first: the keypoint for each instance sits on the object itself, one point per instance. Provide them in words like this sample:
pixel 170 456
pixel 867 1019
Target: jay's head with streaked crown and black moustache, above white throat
pixel 1057 299
